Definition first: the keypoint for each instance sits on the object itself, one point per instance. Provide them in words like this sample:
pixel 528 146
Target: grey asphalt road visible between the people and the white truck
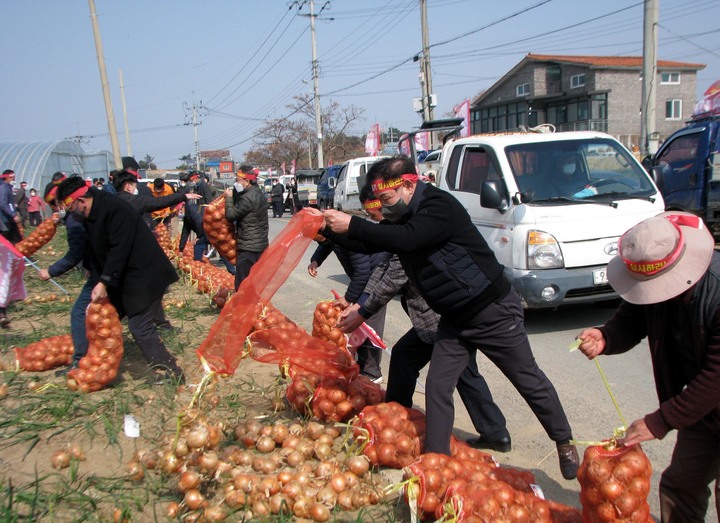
pixel 578 381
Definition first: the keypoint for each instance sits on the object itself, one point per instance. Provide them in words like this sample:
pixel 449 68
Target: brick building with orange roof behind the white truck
pixel 601 93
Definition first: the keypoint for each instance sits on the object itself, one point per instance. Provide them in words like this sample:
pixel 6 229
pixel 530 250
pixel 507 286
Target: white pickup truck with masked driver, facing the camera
pixel 551 206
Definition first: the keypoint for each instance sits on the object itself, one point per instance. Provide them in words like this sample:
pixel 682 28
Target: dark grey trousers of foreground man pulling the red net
pixel 499 332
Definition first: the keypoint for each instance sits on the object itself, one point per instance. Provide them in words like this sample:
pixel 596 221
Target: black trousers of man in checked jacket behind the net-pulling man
pixel 410 354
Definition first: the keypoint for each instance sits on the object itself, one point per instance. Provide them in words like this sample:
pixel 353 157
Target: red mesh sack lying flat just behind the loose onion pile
pixel 297 351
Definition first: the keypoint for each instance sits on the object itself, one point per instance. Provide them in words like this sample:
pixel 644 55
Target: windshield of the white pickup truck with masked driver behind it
pixel 593 169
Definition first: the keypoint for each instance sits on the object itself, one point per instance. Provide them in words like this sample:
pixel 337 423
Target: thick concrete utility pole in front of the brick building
pixel 649 139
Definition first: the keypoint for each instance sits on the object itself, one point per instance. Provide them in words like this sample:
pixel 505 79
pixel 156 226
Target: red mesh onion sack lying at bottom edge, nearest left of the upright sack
pixel 484 500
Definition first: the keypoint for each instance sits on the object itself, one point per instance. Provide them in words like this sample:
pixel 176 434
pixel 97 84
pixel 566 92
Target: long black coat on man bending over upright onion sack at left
pixel 126 255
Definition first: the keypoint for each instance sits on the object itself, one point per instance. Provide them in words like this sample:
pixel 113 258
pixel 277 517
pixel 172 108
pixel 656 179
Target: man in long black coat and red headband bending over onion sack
pixel 133 271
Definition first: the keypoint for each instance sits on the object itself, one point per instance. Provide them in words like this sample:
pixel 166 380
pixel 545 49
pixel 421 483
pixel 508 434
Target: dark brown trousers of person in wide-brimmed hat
pixel 684 485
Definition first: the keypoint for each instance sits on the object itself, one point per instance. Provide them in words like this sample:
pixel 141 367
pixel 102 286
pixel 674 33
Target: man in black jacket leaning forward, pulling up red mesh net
pixel 456 272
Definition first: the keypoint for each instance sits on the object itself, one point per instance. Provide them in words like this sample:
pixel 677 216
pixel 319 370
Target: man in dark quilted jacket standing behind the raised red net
pixel 245 206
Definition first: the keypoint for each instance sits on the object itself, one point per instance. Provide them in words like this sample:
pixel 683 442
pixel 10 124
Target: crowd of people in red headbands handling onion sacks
pixel 420 243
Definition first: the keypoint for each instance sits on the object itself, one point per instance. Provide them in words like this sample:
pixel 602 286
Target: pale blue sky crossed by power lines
pixel 241 62
